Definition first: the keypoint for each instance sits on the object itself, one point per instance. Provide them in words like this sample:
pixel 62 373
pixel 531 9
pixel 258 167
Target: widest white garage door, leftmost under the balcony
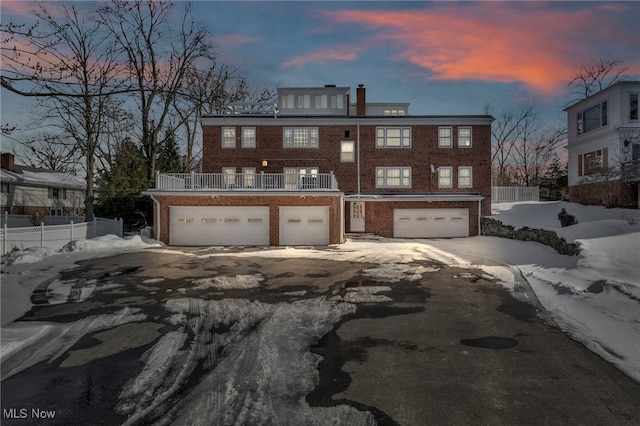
pixel 224 226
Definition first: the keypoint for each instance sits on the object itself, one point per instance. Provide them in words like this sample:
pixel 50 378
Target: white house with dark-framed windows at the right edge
pixel 604 146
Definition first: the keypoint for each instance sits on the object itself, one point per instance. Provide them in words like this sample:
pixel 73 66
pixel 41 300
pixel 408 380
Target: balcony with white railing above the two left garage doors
pixel 246 182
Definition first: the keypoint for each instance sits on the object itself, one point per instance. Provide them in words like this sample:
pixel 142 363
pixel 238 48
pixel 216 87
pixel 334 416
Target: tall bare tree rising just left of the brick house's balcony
pixel 159 58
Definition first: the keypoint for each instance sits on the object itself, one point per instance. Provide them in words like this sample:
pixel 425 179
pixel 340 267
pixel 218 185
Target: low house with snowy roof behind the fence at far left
pixel 30 190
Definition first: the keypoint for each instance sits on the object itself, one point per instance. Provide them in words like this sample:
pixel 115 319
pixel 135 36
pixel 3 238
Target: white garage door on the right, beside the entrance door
pixel 430 223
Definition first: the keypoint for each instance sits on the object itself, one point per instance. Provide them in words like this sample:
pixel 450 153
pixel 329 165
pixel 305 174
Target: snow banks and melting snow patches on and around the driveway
pixel 594 297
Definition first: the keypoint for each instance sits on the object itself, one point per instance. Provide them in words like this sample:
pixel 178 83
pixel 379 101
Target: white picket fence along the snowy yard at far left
pixel 56 236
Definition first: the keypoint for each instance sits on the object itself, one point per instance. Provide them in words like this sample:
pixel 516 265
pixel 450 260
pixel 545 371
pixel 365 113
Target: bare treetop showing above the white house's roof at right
pixel 600 74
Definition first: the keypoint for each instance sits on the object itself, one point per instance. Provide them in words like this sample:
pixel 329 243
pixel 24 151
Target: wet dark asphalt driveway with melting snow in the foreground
pixel 207 336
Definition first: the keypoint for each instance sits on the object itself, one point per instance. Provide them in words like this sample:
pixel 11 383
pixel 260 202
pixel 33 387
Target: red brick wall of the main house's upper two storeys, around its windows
pixel 423 153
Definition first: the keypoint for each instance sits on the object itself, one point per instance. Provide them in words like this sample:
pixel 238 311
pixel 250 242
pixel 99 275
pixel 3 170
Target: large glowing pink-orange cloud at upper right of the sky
pixel 494 42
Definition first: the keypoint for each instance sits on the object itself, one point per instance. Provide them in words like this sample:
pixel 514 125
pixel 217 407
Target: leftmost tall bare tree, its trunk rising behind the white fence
pixel 65 62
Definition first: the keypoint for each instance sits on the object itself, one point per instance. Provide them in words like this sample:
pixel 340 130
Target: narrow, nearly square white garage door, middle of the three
pixel 301 226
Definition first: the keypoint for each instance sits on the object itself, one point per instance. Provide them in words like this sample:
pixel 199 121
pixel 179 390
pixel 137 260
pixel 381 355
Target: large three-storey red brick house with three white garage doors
pixel 314 166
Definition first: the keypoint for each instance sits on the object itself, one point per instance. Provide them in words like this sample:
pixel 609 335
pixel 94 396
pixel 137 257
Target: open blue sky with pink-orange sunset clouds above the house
pixel 441 57
